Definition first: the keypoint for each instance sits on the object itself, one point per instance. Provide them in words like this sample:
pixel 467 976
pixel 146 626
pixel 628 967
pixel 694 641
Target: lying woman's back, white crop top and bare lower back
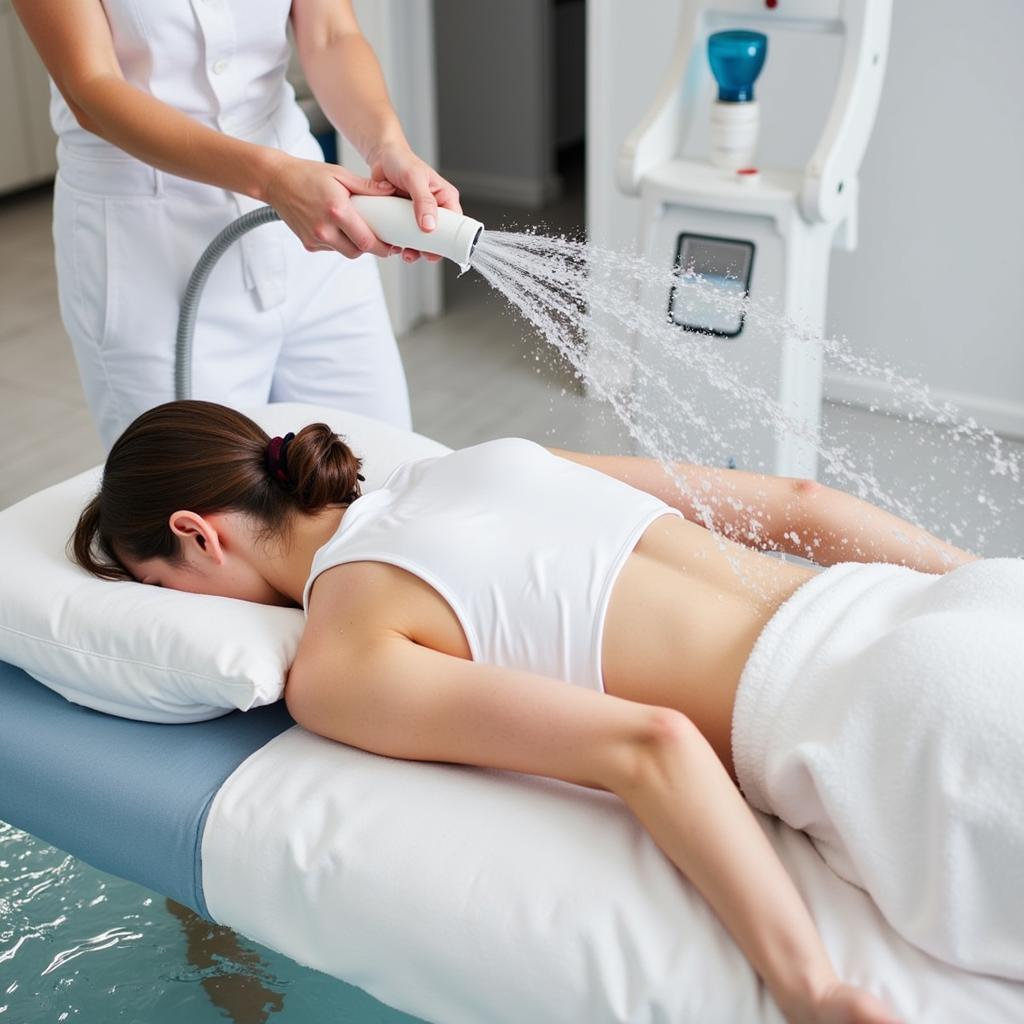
pixel 507 554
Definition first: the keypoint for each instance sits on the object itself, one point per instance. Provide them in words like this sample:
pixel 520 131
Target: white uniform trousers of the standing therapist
pixel 276 323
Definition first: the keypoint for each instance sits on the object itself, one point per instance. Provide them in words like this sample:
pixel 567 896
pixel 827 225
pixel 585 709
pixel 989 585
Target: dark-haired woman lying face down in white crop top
pixel 521 609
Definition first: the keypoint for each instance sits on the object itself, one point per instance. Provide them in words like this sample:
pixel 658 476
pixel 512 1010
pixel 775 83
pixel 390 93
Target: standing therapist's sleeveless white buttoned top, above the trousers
pixel 224 63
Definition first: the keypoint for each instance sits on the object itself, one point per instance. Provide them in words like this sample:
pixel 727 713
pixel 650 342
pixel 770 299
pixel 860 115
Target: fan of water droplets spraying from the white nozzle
pixel 682 400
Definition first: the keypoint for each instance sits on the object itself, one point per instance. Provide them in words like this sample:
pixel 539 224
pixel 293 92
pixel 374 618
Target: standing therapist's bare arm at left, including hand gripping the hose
pixel 74 40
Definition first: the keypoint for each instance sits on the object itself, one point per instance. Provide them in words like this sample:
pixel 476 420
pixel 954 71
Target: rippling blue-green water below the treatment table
pixel 77 945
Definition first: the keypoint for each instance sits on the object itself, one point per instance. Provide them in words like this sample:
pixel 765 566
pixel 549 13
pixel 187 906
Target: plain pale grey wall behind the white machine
pixel 936 284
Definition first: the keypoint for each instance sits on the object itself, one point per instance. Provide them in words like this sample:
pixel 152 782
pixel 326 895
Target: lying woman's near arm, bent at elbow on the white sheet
pixel 403 700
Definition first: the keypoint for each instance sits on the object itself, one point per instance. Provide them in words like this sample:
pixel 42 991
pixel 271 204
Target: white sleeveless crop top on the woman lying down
pixel 524 545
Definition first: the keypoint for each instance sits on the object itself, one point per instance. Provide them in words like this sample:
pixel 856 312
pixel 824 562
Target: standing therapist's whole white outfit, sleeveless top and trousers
pixel 276 323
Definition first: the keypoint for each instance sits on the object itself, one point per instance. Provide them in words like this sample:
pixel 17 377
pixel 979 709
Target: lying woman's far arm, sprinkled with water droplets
pixel 776 514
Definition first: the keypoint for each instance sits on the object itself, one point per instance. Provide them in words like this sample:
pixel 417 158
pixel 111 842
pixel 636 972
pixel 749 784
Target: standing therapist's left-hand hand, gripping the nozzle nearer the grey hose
pixel 313 199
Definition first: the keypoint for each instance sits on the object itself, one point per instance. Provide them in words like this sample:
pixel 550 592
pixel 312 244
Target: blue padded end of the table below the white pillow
pixel 129 798
